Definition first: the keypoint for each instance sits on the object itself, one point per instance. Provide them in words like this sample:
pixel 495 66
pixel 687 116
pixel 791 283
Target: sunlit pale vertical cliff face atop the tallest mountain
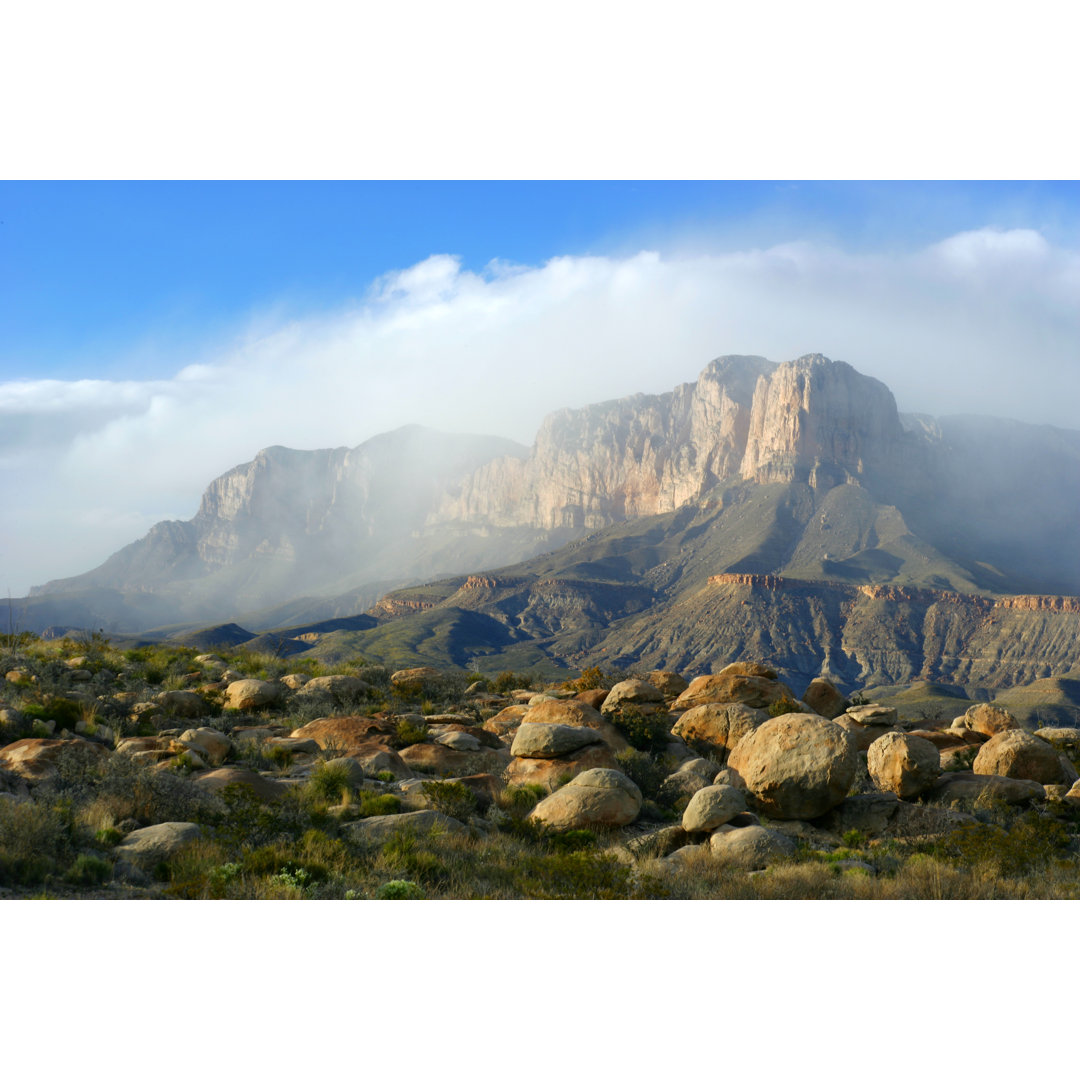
pixel 745 418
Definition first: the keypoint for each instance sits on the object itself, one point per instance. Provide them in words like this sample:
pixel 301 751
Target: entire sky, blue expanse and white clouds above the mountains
pixel 154 335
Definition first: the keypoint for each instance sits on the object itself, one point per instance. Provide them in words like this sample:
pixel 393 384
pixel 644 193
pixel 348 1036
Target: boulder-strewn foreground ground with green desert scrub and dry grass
pixel 159 773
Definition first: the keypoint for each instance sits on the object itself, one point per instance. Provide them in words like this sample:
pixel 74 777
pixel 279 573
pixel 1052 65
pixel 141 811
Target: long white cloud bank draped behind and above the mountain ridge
pixel 982 322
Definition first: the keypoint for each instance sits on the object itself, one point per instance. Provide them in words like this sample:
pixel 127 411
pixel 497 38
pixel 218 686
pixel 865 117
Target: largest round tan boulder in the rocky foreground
pixel 796 766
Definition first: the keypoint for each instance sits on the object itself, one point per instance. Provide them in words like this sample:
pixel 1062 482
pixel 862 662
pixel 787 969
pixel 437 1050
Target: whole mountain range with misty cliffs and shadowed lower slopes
pixel 796 491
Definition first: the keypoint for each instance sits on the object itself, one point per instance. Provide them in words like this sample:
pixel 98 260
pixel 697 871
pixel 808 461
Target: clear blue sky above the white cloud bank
pixel 121 280
